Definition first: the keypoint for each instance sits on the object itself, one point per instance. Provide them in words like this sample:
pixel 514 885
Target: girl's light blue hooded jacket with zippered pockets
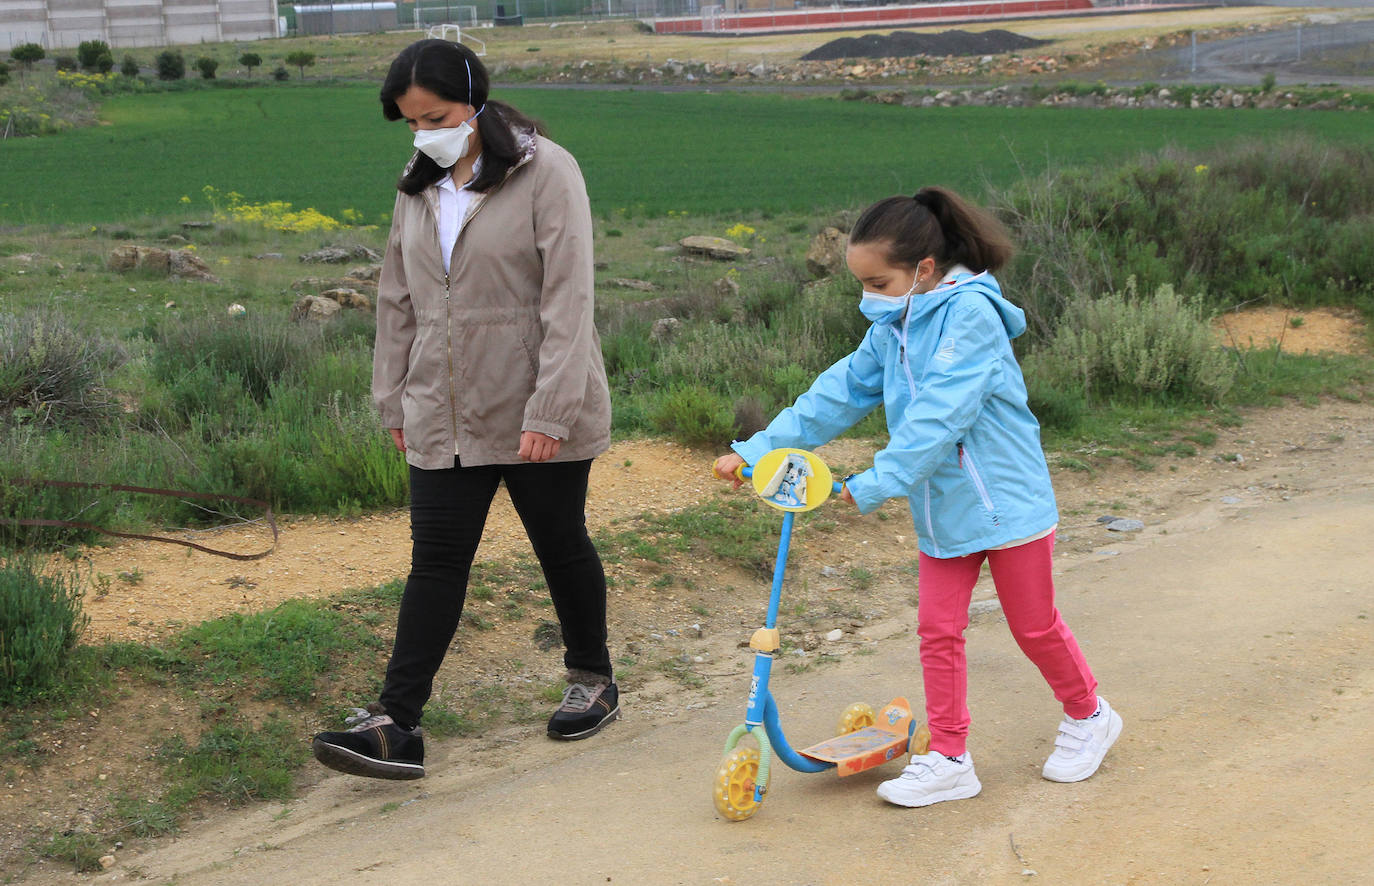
pixel 965 448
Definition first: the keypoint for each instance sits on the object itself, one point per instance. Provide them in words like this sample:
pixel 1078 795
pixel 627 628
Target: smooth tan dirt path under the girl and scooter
pixel 1233 634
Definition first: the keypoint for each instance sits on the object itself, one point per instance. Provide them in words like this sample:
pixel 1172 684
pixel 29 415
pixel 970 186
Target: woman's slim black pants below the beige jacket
pixel 449 512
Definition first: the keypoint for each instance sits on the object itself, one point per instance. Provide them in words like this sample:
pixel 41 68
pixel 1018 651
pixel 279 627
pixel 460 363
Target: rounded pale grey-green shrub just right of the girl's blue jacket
pixel 1127 347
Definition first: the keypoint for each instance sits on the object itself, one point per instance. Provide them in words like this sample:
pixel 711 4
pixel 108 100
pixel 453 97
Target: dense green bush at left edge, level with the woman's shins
pixel 41 623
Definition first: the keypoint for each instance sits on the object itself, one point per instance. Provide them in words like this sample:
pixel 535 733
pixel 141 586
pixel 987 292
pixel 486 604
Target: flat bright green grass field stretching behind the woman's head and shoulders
pixel 642 153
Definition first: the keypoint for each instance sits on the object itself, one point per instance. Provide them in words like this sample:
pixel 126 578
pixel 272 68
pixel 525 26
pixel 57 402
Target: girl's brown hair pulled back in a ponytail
pixel 935 223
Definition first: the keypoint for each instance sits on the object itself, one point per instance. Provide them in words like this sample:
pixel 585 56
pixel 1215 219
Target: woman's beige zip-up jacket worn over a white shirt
pixel 505 343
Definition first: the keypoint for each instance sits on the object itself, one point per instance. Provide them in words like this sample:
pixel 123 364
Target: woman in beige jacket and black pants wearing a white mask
pixel 487 370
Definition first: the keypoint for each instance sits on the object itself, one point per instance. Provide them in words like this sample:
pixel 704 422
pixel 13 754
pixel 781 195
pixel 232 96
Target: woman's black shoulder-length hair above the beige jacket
pixel 443 68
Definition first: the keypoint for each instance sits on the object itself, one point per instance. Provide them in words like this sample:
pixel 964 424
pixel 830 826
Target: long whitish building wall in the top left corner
pixel 124 24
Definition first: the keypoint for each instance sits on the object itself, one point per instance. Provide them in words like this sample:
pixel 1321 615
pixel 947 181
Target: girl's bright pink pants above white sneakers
pixel 1026 589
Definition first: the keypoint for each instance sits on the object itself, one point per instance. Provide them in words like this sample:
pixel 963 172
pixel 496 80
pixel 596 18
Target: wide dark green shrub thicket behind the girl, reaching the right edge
pixel 1244 223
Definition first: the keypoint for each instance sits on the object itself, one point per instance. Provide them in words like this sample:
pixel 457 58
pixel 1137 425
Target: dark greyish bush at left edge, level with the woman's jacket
pixel 52 373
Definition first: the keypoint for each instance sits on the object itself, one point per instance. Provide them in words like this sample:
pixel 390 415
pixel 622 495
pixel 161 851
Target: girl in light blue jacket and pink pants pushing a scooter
pixel 965 453
